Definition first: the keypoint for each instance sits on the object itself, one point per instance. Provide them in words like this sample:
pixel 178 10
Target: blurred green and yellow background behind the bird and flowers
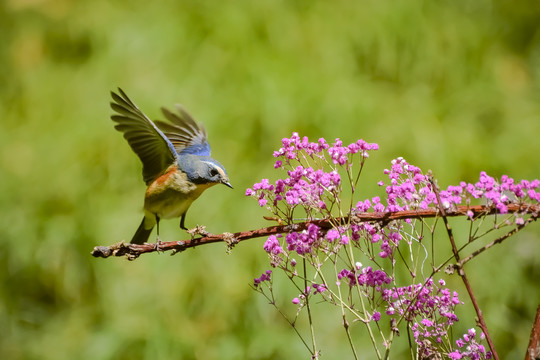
pixel 452 86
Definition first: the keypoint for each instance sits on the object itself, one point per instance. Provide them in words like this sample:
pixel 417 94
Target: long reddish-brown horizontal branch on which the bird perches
pixel 132 251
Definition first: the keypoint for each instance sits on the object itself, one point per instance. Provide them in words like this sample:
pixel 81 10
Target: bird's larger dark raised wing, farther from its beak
pixel 156 152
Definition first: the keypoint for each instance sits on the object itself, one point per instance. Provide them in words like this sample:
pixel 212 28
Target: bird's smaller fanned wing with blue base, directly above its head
pixel 185 134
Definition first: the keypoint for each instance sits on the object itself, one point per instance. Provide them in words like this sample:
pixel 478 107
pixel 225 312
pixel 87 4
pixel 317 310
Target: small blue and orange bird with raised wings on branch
pixel 177 166
